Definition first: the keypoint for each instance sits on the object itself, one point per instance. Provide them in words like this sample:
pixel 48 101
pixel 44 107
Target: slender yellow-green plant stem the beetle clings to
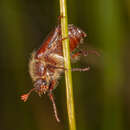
pixel 67 64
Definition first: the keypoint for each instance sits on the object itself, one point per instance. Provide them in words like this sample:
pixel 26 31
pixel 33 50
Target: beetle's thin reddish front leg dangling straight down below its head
pixel 54 106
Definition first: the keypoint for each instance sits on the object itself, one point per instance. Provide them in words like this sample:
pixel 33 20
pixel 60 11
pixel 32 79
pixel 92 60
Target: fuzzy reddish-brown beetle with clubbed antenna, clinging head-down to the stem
pixel 47 63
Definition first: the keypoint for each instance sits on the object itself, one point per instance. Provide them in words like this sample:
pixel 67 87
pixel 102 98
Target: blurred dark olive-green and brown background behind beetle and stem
pixel 102 95
